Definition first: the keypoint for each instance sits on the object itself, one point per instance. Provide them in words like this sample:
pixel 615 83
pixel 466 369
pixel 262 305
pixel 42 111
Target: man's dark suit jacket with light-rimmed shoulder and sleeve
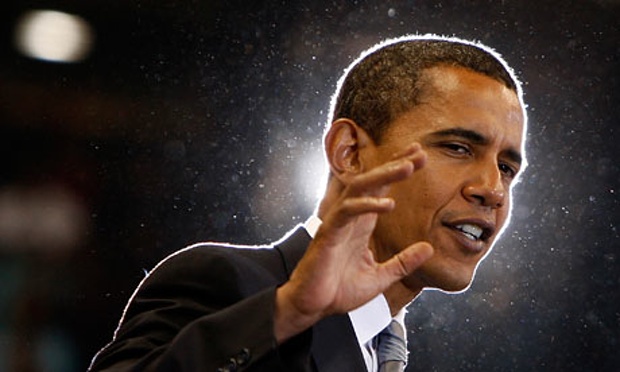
pixel 211 307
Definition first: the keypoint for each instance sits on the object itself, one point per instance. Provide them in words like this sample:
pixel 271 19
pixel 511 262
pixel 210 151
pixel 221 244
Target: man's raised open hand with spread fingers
pixel 339 272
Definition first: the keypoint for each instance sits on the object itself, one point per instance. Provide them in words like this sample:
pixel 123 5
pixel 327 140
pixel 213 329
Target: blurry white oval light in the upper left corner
pixel 53 36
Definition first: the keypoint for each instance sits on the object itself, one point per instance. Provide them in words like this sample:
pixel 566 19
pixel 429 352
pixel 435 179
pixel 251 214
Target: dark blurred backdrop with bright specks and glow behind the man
pixel 129 129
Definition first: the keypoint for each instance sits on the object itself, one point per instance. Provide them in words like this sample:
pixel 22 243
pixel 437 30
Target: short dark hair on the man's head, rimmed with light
pixel 386 80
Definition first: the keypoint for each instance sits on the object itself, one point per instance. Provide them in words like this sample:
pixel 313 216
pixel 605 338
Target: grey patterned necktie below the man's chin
pixel 392 348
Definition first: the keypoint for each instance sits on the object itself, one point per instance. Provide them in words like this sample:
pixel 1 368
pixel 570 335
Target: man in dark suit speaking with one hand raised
pixel 424 146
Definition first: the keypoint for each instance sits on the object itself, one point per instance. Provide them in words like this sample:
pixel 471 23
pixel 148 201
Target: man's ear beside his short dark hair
pixel 344 143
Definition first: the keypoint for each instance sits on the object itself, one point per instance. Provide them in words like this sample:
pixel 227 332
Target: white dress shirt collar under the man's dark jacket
pixel 369 319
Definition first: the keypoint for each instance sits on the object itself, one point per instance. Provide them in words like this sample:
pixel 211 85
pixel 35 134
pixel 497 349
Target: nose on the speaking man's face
pixel 486 188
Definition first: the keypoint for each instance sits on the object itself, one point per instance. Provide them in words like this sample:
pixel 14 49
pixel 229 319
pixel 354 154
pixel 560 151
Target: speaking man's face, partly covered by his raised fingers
pixel 471 128
